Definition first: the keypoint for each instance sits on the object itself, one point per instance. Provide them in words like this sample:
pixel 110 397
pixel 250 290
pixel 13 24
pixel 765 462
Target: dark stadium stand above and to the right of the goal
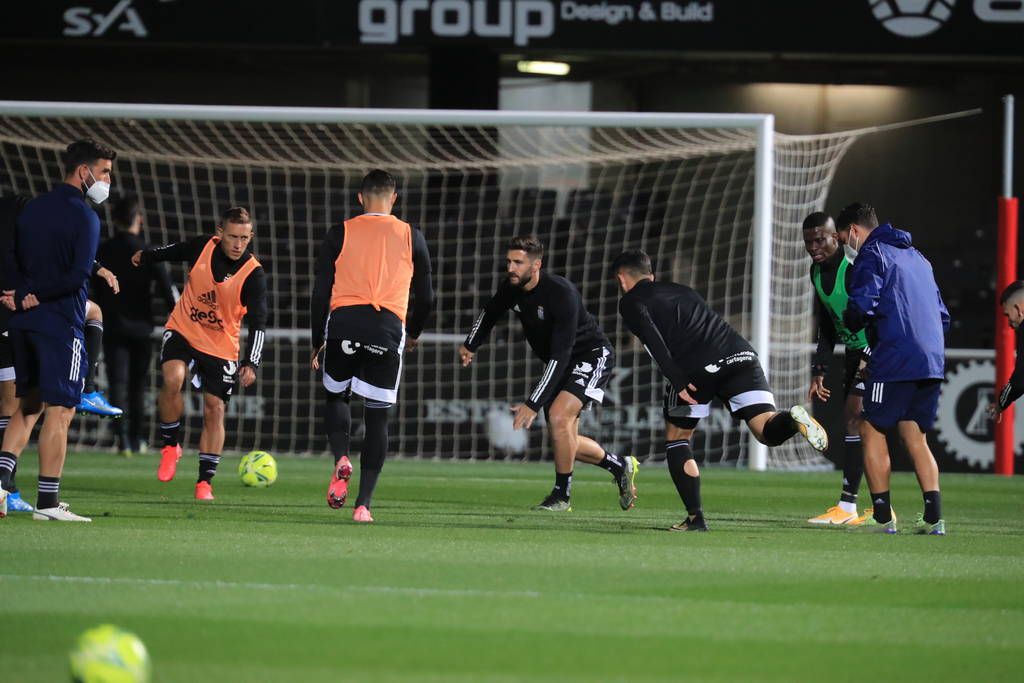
pixel 819 67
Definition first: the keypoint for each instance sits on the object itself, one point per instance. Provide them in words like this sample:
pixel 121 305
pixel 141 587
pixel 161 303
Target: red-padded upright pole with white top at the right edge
pixel 1006 274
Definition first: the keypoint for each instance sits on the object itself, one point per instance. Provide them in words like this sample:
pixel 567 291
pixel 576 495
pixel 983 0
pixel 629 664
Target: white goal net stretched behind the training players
pixel 685 193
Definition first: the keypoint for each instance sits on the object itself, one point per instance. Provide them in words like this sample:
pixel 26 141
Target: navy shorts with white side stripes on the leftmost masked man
pixel 56 365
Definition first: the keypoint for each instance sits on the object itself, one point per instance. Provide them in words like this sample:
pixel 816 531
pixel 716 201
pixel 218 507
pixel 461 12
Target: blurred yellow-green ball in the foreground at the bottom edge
pixel 109 655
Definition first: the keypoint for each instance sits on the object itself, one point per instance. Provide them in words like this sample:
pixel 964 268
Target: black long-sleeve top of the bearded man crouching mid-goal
pixel 558 326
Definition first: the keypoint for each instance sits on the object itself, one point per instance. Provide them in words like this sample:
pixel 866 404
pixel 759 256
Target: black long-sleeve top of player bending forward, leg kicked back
pixel 680 331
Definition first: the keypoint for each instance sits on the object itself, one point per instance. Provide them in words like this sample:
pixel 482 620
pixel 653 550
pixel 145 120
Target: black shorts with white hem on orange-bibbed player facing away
pixel 371 371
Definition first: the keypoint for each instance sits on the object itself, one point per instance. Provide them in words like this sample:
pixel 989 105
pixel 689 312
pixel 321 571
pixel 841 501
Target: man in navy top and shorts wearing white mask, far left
pixel 55 249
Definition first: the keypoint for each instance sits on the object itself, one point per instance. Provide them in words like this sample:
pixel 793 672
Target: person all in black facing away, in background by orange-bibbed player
pixel 127 340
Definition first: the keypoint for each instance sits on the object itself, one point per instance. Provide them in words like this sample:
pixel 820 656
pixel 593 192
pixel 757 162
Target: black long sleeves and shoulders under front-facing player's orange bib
pixel 253 290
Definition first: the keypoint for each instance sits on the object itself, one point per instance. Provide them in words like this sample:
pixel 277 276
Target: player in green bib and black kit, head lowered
pixel 831 279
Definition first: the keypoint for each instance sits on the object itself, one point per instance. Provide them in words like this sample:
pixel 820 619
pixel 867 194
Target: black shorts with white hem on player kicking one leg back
pixel 744 390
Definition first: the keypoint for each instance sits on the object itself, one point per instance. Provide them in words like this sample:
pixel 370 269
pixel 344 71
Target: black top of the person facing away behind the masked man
pixel 131 313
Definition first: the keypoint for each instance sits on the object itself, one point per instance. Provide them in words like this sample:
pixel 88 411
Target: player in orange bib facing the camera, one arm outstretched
pixel 203 334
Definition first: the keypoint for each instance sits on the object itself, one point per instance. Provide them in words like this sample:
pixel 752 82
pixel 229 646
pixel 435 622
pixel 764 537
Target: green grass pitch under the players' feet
pixel 459 581
